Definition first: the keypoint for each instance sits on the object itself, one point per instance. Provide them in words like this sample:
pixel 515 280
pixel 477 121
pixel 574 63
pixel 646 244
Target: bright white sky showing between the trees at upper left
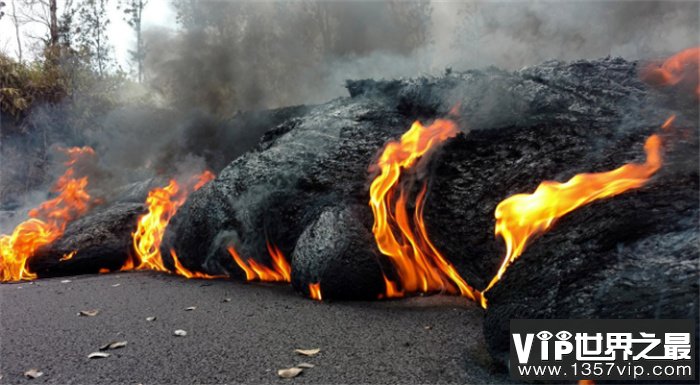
pixel 157 13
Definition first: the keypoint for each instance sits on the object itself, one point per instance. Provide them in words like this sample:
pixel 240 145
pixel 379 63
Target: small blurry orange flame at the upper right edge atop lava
pixel 683 66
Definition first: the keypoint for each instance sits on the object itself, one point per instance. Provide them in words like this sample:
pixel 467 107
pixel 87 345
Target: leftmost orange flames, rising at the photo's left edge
pixel 48 221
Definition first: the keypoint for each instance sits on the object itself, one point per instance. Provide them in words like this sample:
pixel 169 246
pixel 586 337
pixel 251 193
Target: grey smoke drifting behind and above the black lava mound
pixel 229 56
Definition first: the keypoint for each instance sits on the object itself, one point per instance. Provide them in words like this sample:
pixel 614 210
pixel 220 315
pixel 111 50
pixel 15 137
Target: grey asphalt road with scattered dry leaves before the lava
pixel 246 340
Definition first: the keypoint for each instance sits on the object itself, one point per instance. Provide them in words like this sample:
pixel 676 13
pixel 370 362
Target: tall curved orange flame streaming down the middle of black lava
pixel 419 266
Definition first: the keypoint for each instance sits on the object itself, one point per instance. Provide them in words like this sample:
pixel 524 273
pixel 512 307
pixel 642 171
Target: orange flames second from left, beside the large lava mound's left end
pixel 162 205
